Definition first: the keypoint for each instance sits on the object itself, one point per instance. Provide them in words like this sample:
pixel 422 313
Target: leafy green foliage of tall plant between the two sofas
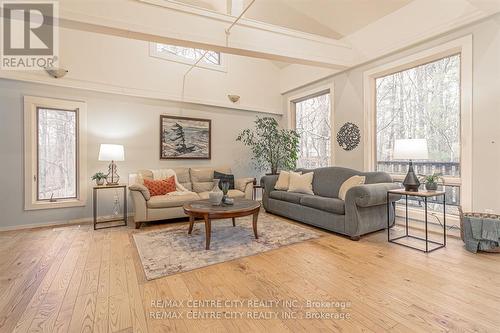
pixel 274 148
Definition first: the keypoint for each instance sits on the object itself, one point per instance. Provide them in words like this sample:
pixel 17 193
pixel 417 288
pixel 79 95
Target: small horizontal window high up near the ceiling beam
pixel 187 55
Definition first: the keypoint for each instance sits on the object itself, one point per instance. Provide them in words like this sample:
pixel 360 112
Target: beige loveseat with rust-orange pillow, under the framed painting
pixel 198 180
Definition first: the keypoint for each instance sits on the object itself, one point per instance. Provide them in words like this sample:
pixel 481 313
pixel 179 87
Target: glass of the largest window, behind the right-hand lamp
pixel 422 102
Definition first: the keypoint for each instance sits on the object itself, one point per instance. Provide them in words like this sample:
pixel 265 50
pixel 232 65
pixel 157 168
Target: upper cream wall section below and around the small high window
pixel 114 64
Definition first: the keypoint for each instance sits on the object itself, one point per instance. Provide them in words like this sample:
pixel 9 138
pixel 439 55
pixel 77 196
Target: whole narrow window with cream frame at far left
pixel 54 158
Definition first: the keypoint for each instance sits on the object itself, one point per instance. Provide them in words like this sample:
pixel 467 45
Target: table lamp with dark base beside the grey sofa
pixel 410 149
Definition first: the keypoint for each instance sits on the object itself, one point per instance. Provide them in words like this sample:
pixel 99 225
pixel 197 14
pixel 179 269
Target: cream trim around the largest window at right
pixel 462 46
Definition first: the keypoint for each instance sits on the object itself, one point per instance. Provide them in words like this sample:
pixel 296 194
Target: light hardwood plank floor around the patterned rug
pixel 74 279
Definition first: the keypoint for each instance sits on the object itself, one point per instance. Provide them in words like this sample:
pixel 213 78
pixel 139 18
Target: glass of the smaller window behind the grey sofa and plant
pixel 313 123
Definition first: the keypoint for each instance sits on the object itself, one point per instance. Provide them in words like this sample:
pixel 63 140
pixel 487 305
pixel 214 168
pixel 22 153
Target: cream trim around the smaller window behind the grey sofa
pixel 310 93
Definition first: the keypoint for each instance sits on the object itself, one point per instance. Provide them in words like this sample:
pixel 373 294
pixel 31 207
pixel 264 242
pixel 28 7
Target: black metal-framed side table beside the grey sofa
pixel 430 245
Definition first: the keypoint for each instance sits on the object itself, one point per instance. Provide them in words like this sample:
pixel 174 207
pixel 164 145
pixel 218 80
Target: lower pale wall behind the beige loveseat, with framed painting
pixel 133 122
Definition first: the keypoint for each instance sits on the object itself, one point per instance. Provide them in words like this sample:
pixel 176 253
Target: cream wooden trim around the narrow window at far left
pixel 31 106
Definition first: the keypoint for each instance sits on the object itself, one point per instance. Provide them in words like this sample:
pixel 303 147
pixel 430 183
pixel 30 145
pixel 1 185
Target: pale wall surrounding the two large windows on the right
pixel 348 106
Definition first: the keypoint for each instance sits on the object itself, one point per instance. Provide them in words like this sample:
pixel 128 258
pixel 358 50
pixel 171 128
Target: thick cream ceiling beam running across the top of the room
pixel 171 23
